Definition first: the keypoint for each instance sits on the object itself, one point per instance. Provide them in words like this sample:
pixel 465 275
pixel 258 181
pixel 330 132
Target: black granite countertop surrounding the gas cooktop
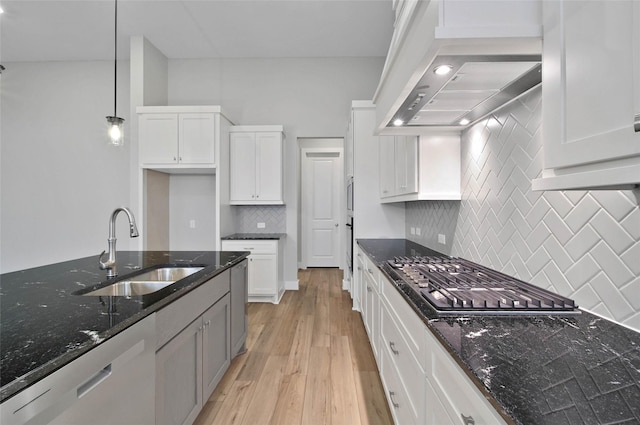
pixel 535 369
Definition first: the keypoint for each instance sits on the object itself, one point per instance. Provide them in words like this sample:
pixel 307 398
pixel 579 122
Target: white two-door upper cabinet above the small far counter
pixel 256 165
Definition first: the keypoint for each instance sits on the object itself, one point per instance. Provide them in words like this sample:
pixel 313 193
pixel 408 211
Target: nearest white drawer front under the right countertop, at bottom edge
pixel 456 391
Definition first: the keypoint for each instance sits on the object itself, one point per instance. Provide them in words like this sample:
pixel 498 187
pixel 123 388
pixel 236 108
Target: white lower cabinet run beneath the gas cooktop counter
pixel 423 384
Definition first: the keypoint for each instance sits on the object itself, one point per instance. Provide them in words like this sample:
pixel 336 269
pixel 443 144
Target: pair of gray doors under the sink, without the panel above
pixel 189 367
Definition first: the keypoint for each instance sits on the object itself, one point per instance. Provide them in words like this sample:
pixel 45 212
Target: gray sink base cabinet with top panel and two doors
pixel 193 350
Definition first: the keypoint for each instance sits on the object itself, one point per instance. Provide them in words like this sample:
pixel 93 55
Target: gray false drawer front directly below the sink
pixel 177 315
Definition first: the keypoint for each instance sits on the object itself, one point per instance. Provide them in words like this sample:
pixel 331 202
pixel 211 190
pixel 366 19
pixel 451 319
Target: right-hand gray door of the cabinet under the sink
pixel 216 344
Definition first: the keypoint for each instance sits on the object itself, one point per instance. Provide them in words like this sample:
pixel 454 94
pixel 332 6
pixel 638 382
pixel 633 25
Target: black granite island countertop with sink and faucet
pixel 44 325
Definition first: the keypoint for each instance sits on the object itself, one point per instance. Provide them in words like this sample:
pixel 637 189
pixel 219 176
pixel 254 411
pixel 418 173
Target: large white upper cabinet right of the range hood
pixel 590 95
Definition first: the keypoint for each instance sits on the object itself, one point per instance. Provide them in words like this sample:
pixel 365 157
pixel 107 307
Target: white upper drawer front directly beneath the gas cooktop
pixel 409 324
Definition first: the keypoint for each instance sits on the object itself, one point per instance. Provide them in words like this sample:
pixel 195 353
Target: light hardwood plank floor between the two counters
pixel 308 361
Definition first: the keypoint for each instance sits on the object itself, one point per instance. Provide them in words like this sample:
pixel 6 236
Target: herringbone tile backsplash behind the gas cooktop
pixel 582 244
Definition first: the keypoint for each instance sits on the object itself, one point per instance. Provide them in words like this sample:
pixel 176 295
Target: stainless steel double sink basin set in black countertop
pixel 146 282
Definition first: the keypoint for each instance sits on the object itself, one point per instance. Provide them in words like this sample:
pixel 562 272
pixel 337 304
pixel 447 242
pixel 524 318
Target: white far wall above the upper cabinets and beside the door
pixel 310 97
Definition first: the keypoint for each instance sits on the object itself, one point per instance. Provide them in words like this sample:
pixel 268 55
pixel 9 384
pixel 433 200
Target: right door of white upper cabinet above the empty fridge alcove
pixel 196 138
